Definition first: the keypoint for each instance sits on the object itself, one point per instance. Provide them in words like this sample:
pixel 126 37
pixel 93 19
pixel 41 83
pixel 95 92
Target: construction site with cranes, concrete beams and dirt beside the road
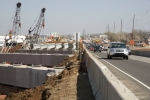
pixel 34 67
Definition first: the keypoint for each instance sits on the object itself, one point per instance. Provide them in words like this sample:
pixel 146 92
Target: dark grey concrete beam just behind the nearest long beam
pixel 35 59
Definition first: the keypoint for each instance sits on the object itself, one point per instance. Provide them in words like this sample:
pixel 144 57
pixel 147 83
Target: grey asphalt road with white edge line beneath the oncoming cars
pixel 134 73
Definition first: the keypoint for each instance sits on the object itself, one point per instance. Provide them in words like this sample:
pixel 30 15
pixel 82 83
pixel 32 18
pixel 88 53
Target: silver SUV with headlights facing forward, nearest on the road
pixel 117 49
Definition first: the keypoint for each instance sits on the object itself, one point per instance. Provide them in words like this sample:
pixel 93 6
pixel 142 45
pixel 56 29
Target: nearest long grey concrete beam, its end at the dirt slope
pixel 24 76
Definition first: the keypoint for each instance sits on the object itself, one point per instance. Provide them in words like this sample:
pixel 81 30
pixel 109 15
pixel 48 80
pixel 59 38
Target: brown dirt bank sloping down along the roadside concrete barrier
pixel 71 84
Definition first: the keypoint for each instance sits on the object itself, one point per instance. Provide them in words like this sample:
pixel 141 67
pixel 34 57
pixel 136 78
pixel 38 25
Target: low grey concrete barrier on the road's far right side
pixel 141 53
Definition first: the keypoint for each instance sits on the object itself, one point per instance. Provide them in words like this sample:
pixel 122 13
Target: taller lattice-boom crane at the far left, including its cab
pixel 11 41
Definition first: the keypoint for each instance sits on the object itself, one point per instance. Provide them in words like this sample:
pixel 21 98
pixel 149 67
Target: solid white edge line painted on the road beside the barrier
pixel 126 73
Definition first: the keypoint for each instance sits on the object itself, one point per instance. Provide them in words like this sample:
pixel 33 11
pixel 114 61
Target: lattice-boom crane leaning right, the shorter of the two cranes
pixel 34 38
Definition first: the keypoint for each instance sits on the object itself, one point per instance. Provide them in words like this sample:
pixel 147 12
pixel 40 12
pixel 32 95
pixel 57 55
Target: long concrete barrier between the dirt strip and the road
pixel 104 84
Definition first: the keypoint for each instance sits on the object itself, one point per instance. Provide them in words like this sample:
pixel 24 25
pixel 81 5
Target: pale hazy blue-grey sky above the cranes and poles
pixel 69 16
